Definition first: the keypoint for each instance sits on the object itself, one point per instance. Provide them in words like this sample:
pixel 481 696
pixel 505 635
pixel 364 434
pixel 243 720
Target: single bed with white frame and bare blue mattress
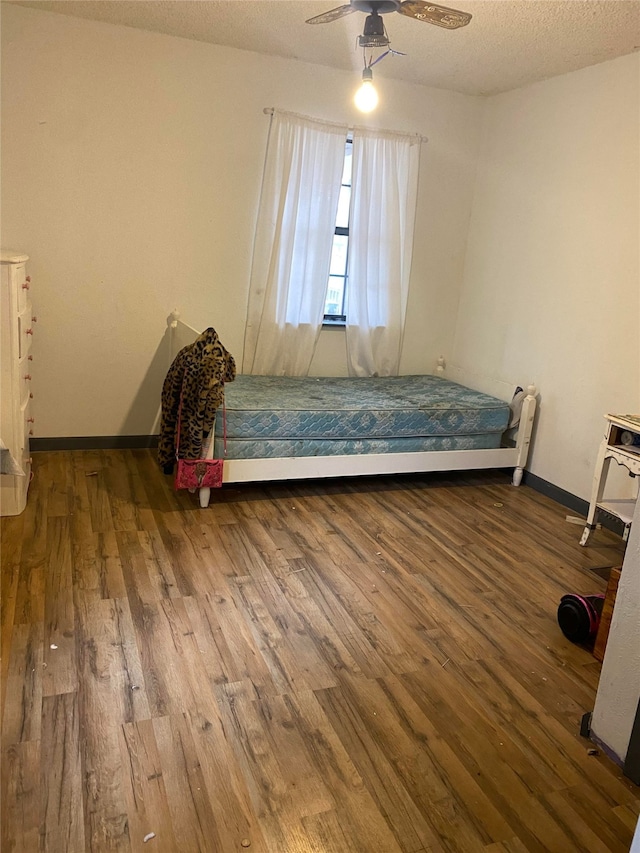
pixel 282 428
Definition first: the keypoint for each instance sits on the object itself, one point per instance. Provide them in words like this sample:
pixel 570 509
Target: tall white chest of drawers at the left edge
pixel 16 421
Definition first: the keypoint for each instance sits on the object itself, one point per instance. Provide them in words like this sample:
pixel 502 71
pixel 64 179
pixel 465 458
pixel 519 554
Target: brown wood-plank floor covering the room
pixel 369 665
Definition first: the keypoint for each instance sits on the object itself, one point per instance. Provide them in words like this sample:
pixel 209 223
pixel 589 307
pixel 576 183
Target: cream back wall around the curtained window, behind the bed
pixel 131 168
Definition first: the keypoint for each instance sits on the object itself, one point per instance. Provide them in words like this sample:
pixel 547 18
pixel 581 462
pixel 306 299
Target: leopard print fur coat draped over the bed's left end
pixel 198 374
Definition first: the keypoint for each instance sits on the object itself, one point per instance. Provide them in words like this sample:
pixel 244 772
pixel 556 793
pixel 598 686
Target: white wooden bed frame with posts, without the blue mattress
pixel 312 467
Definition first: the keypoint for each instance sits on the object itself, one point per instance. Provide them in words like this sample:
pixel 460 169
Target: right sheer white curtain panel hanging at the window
pixel 383 204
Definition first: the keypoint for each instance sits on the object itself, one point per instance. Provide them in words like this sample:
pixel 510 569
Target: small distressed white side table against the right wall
pixel 622 444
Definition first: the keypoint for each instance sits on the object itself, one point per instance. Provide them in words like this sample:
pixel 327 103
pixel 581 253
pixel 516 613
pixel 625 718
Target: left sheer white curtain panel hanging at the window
pixel 292 249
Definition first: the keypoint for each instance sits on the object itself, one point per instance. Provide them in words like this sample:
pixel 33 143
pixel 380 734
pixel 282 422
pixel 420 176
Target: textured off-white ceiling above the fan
pixel 509 43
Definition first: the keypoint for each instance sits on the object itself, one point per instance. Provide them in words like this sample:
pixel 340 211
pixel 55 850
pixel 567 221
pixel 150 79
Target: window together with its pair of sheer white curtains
pixel 320 193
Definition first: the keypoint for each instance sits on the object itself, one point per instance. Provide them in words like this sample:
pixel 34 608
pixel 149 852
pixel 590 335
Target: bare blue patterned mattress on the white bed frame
pixel 279 416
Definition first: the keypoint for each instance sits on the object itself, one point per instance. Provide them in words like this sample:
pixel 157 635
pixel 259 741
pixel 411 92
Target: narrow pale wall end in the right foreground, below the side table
pixel 619 685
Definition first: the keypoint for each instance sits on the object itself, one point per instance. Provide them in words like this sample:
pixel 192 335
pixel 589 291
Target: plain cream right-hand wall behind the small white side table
pixel 551 281
